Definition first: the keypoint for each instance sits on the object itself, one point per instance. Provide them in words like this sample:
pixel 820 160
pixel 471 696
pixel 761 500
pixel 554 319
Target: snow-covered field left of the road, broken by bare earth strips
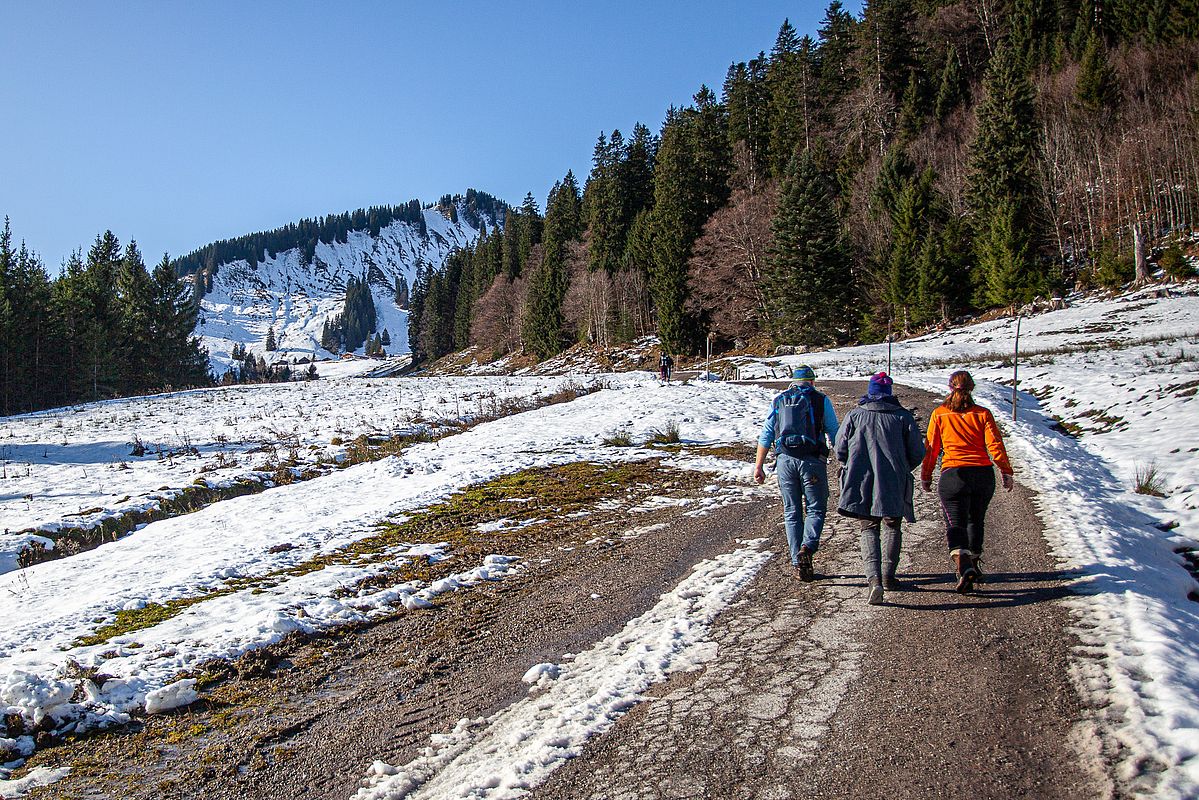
pixel 43 663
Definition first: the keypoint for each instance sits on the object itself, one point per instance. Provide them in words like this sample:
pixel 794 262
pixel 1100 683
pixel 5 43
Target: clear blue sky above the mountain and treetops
pixel 179 124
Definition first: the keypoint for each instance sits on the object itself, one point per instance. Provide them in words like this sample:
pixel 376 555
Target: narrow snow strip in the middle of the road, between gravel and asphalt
pixel 515 750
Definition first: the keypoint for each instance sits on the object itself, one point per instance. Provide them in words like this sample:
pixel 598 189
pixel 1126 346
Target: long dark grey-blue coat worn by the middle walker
pixel 878 447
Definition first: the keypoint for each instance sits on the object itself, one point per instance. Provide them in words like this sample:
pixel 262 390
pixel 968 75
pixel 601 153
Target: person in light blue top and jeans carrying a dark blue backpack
pixel 800 422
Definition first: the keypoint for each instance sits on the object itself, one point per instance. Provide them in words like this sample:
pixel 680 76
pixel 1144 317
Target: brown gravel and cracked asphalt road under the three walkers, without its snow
pixel 812 694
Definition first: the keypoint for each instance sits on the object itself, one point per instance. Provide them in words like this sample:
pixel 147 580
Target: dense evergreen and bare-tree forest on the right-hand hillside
pixel 903 169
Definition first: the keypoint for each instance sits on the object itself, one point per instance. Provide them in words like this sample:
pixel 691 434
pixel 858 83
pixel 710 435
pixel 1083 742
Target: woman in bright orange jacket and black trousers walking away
pixel 972 441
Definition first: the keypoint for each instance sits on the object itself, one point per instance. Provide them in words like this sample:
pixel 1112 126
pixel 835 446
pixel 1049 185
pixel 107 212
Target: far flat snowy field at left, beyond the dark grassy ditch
pixel 74 467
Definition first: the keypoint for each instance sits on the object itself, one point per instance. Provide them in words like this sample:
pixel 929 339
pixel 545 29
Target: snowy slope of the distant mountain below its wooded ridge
pixel 297 296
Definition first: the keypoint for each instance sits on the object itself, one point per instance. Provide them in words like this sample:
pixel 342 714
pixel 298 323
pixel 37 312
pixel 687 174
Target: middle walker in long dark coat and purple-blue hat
pixel 878 447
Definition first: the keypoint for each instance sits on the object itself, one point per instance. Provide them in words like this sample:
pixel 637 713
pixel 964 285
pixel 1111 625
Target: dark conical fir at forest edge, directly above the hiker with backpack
pixel 809 285
